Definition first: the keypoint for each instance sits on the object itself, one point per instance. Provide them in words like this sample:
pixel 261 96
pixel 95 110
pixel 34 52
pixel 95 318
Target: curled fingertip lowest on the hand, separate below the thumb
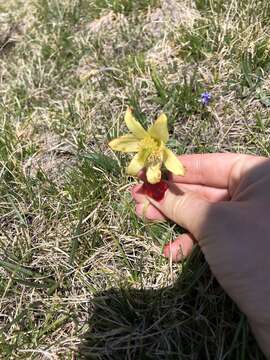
pixel 180 248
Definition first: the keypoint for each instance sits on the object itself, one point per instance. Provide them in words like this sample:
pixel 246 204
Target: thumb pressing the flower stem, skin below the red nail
pixel 187 209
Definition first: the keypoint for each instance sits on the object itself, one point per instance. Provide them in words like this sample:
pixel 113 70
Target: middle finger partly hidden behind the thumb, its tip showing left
pixel 211 193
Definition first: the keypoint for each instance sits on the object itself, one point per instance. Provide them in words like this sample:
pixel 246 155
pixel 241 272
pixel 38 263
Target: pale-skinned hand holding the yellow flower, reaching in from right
pixel 223 202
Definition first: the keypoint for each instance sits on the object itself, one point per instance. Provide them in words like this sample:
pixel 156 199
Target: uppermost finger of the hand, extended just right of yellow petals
pixel 209 169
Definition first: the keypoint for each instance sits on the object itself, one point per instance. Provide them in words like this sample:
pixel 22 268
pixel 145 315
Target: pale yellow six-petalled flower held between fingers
pixel 149 146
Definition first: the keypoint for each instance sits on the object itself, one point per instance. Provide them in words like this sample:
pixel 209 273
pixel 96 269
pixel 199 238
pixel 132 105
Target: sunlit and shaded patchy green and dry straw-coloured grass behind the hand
pixel 81 275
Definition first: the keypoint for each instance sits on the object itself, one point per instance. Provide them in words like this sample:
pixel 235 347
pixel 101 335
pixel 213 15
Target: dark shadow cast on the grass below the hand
pixel 193 319
